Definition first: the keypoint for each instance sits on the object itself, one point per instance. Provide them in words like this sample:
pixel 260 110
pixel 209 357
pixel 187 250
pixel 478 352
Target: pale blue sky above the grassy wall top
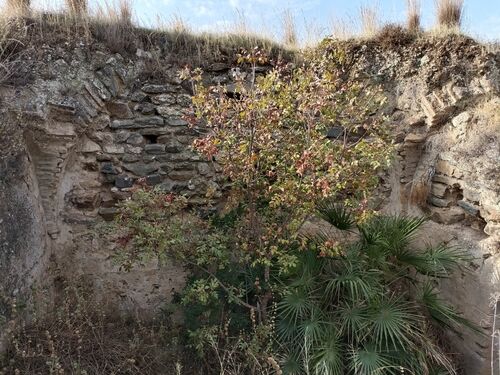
pixel 481 19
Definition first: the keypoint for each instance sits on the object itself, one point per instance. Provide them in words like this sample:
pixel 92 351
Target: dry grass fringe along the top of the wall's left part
pixel 110 26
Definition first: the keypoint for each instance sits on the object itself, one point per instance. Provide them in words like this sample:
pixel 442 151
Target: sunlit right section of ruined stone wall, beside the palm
pixel 444 110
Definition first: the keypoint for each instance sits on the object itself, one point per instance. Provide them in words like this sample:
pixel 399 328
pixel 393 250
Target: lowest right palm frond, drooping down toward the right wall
pixel 443 314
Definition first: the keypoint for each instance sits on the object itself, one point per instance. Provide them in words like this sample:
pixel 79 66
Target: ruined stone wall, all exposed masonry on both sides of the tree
pixel 91 124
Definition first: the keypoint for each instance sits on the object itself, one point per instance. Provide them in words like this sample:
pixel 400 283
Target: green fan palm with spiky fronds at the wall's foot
pixel 367 306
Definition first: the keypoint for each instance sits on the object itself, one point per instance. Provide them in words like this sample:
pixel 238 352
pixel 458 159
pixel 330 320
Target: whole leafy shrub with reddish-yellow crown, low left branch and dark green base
pixel 270 136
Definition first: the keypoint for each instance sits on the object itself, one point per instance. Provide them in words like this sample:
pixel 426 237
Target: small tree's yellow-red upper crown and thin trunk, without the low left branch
pixel 270 136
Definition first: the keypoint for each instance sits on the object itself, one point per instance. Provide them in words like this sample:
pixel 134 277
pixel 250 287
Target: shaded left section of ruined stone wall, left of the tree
pixel 89 127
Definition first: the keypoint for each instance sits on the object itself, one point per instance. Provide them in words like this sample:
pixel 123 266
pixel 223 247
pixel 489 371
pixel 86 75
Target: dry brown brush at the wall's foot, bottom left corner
pixel 79 337
